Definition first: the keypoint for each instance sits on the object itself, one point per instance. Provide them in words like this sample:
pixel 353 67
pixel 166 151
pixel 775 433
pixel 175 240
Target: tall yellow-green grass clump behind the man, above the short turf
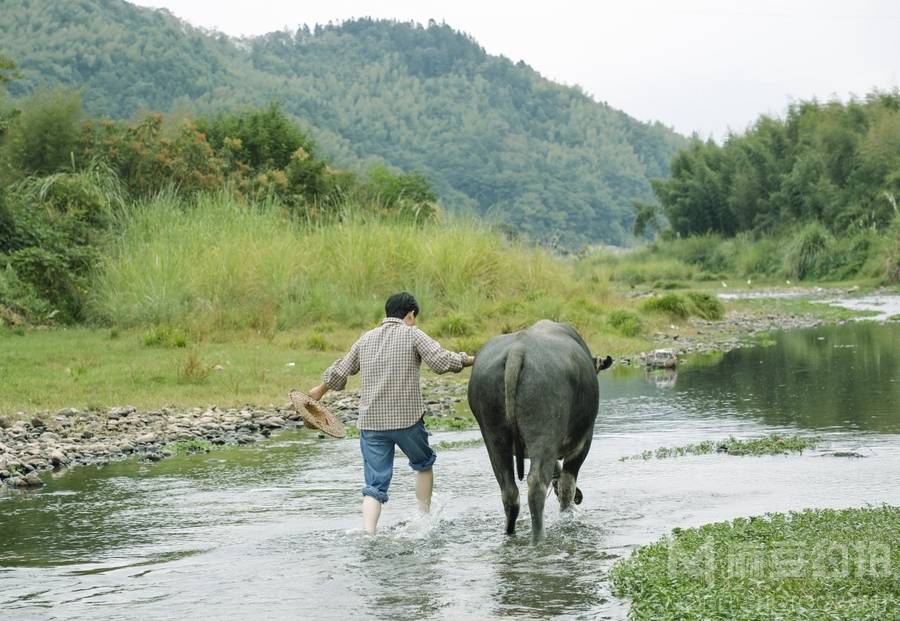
pixel 223 264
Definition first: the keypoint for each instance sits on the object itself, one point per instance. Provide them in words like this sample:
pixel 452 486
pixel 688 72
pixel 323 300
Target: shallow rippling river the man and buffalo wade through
pixel 272 531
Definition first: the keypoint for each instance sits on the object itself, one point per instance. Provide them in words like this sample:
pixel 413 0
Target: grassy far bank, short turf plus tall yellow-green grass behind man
pixel 216 300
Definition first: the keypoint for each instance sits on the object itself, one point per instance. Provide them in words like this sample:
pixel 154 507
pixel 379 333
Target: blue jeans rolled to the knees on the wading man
pixel 377 449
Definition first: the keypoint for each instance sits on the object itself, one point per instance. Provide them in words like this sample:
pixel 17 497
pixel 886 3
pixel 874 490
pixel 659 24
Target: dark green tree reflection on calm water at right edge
pixel 833 377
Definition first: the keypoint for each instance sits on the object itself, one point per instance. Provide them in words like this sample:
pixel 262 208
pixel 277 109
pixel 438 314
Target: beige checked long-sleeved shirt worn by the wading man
pixel 389 358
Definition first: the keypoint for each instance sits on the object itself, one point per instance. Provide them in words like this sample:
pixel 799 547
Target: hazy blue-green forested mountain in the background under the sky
pixel 490 135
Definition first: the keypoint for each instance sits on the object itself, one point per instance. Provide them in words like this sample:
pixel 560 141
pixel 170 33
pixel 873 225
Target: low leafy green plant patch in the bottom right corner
pixel 813 564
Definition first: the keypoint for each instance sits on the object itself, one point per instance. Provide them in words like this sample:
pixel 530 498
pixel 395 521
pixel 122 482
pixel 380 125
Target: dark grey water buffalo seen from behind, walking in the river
pixel 535 394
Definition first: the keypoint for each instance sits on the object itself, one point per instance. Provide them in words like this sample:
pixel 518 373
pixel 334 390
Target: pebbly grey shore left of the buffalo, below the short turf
pixel 70 437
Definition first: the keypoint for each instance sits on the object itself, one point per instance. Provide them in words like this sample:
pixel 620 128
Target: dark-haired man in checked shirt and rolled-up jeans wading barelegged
pixel 391 406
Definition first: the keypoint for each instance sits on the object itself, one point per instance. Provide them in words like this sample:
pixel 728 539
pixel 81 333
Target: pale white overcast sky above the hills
pixel 702 66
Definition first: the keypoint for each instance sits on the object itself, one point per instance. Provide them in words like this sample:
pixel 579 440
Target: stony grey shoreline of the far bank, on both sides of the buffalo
pixel 32 443
